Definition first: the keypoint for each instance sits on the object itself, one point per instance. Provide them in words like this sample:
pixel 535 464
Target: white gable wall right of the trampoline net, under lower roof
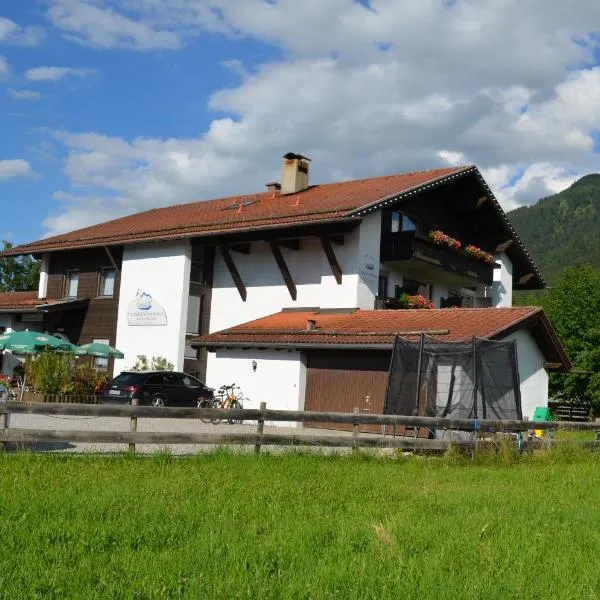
pixel 533 376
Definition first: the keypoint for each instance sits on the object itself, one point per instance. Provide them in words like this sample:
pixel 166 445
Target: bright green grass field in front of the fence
pixel 299 526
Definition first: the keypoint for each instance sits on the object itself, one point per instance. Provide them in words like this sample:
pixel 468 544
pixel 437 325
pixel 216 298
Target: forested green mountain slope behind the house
pixel 564 229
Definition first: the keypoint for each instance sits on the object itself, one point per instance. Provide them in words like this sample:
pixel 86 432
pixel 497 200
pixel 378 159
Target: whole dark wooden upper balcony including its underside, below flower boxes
pixel 416 255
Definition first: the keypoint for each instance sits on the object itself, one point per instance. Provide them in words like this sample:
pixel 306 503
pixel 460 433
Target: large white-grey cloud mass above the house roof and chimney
pixel 406 85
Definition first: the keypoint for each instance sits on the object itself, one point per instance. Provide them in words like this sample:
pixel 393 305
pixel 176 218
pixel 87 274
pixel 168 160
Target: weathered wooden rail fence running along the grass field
pixel 255 436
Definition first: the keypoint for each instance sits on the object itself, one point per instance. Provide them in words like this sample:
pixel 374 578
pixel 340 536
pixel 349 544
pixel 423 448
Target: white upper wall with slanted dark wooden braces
pixel 310 271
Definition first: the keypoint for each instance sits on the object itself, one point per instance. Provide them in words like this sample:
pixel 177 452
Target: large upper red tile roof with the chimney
pixel 258 211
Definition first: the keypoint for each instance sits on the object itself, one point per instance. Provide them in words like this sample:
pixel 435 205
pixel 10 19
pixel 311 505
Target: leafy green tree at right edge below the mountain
pixel 573 306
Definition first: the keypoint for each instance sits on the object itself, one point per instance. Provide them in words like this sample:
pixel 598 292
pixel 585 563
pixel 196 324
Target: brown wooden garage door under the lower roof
pixel 340 381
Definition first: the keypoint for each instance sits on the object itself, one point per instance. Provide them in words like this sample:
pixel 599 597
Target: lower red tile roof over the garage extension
pixel 372 328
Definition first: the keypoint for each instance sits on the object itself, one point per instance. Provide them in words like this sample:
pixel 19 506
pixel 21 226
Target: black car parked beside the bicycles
pixel 156 388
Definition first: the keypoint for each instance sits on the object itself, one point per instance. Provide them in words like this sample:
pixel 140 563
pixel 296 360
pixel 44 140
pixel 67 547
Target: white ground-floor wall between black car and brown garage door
pixel 279 379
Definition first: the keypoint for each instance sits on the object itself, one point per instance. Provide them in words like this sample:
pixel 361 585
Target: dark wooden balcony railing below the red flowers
pixel 412 246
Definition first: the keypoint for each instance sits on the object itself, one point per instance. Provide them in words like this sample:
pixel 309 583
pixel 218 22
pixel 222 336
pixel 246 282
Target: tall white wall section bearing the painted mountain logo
pixel 163 271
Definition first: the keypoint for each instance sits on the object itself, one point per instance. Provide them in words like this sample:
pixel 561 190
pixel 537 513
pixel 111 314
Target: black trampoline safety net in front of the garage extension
pixel 475 379
